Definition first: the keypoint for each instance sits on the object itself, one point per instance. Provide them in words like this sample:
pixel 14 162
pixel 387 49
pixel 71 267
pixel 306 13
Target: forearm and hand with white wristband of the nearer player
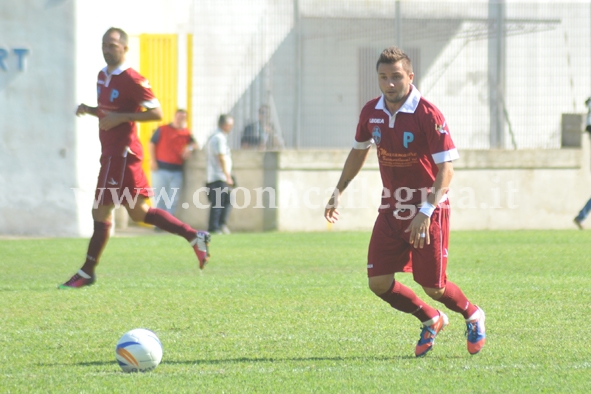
pixel 421 222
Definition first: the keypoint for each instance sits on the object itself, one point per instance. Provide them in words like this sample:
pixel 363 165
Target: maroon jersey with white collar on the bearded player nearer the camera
pixel 410 144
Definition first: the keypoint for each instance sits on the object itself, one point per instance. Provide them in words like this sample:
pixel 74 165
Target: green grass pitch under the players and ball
pixel 291 313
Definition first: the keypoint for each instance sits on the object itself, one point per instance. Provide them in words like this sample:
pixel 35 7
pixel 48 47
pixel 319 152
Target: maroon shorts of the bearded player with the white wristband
pixel 390 250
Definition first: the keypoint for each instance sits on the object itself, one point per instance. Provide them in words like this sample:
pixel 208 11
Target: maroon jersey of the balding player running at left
pixel 124 90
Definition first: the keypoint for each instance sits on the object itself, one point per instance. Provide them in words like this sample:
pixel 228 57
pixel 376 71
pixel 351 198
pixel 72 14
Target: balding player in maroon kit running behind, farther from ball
pixel 122 93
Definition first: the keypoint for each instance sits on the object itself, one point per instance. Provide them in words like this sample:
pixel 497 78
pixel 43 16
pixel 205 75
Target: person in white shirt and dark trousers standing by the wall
pixel 219 176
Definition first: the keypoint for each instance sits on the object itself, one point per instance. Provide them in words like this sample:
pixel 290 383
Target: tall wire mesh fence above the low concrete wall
pixel 503 73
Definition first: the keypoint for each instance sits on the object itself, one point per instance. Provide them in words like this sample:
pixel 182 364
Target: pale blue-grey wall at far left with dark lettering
pixel 37 123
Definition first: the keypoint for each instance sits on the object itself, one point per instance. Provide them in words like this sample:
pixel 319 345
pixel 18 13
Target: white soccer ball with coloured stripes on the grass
pixel 138 350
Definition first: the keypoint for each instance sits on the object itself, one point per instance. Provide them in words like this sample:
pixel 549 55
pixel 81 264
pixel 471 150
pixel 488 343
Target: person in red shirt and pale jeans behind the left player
pixel 170 146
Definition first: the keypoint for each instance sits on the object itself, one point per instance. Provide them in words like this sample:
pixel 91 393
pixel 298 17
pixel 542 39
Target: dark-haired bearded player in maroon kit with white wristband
pixel 415 154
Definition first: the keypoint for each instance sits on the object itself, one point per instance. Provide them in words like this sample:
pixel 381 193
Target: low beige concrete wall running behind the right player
pixel 490 190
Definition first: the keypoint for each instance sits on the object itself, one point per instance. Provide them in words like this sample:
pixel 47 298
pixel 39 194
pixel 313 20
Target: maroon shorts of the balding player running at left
pixel 121 178
